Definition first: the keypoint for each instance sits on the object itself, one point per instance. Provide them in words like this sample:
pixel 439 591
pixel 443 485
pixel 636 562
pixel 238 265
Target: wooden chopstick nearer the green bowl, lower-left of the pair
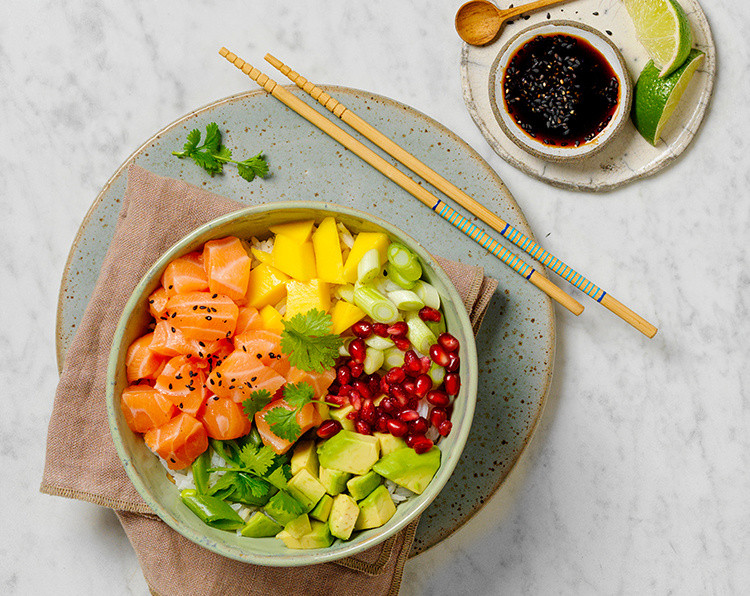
pixel 397 176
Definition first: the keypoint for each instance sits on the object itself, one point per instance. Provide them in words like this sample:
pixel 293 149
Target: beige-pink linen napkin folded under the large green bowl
pixel 81 459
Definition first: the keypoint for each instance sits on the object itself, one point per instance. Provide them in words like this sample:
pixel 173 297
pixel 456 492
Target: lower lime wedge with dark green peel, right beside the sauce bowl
pixel 655 98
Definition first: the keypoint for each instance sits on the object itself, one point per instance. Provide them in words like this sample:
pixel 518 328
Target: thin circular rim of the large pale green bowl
pixel 295 557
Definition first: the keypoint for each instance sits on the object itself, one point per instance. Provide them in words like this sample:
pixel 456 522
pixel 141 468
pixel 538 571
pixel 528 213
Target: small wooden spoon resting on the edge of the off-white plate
pixel 479 21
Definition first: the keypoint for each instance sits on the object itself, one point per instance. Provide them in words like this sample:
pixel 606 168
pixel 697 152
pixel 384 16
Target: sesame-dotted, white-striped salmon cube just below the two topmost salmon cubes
pixel 202 315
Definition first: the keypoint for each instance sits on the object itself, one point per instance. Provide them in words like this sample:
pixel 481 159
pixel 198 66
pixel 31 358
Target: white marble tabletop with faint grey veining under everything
pixel 637 480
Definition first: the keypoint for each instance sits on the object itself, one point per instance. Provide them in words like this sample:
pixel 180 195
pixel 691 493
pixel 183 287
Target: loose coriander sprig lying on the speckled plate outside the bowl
pixel 212 155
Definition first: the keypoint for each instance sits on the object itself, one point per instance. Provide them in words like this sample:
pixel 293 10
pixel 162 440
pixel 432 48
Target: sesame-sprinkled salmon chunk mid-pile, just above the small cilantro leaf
pixel 240 374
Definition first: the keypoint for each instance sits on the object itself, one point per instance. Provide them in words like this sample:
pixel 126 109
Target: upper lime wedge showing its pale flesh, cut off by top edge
pixel 664 31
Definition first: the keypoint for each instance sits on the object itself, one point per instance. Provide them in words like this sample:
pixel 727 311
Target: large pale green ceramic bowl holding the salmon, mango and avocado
pixel 150 478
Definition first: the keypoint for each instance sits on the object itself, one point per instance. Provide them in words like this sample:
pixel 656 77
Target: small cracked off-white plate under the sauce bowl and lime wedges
pixel 628 157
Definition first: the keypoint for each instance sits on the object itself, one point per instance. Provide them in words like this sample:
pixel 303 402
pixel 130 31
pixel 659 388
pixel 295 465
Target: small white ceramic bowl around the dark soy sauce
pixel 533 145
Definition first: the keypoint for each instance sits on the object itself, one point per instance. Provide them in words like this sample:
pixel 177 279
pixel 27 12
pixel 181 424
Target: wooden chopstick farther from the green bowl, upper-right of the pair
pixel 463 199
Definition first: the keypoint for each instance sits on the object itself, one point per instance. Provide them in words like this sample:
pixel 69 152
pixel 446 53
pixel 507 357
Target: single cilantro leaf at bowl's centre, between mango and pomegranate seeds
pixel 308 341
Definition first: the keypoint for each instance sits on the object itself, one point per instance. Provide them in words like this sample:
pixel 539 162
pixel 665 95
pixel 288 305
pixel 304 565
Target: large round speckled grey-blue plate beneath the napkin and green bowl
pixel 515 346
